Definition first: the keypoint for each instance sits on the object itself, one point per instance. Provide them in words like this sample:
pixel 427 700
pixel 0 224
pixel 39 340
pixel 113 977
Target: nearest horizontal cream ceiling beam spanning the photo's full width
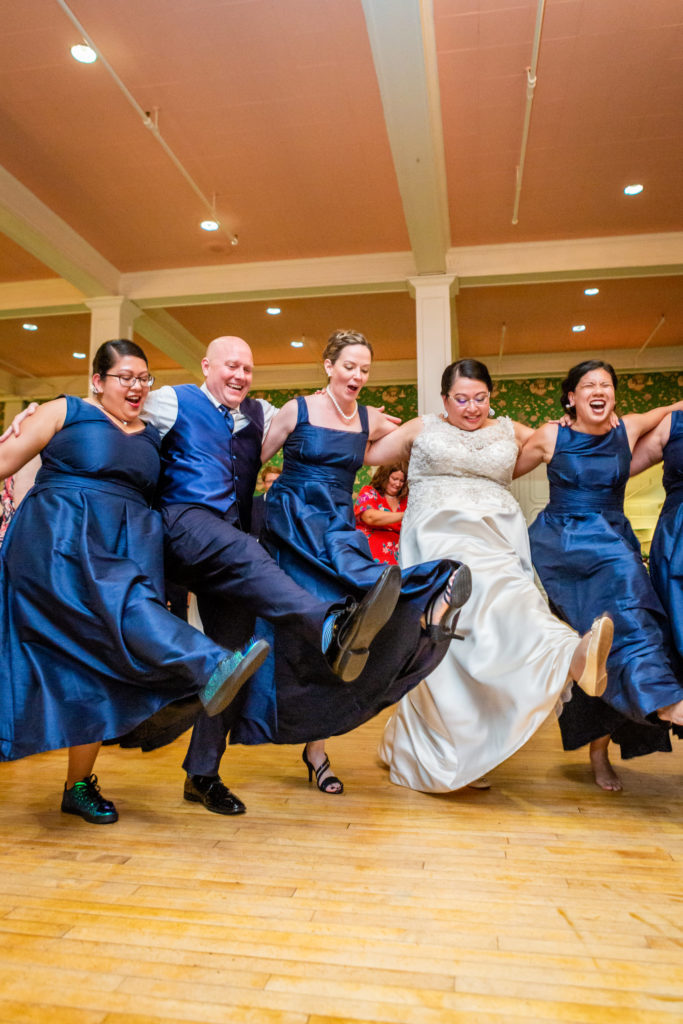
pixel 528 263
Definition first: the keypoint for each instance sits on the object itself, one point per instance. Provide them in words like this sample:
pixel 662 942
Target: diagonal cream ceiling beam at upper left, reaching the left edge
pixel 29 223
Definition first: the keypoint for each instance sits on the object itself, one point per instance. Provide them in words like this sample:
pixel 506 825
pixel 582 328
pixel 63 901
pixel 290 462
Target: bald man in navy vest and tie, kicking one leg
pixel 211 456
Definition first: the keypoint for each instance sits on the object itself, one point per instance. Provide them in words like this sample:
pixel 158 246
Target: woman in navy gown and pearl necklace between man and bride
pixel 311 532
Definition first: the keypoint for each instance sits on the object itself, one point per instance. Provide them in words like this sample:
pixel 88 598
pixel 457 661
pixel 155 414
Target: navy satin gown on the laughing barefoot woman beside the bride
pixel 589 562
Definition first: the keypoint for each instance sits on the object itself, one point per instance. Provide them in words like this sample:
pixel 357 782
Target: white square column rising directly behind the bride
pixel 435 338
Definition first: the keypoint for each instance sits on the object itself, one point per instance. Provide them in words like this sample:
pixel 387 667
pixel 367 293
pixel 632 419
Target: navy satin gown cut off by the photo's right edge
pixel 667 547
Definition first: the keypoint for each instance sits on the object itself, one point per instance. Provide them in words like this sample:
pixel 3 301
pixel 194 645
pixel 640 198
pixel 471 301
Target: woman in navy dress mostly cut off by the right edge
pixel 666 442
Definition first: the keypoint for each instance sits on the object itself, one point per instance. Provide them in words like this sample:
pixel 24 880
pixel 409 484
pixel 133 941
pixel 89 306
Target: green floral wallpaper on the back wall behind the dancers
pixel 530 401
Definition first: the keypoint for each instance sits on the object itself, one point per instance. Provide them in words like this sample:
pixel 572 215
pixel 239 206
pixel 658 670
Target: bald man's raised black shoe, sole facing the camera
pixel 357 627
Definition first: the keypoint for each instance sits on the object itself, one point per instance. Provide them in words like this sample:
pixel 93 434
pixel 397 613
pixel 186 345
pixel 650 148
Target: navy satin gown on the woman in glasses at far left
pixel 89 647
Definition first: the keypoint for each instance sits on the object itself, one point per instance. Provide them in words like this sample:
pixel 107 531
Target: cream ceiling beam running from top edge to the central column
pixel 402 37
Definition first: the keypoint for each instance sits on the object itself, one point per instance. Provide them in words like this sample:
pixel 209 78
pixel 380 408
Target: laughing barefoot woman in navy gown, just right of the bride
pixel 589 562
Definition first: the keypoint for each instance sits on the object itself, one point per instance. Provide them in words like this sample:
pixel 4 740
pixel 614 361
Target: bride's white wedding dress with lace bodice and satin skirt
pixel 494 689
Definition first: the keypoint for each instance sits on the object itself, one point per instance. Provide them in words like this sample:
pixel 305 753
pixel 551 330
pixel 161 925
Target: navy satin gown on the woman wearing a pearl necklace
pixel 311 532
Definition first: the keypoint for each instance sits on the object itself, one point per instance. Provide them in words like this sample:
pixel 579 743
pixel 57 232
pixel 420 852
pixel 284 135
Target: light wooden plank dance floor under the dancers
pixel 543 900
